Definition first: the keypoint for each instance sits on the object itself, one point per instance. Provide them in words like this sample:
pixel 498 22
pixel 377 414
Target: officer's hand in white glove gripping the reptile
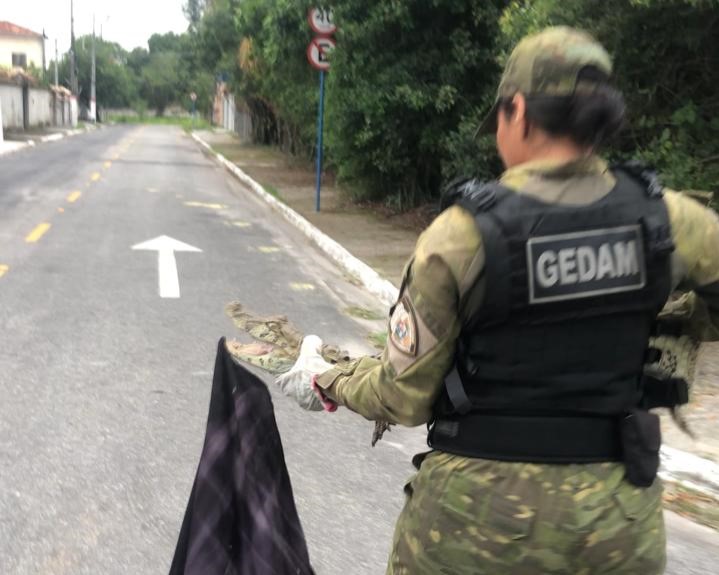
pixel 299 382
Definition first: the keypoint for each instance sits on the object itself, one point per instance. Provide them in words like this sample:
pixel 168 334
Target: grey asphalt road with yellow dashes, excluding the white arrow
pixel 105 385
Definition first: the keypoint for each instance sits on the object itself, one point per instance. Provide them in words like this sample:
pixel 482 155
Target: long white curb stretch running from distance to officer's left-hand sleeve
pixel 381 288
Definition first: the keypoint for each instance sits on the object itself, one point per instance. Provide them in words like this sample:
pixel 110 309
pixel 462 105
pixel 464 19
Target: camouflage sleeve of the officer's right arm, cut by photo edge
pixel 695 264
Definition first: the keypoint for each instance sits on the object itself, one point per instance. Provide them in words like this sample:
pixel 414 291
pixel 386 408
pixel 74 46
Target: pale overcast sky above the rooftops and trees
pixel 128 22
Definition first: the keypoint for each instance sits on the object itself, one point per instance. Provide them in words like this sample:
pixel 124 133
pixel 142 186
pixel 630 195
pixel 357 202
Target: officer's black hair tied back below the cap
pixel 589 117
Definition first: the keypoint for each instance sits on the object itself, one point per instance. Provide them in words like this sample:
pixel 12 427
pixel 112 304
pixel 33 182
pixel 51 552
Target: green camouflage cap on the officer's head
pixel 548 64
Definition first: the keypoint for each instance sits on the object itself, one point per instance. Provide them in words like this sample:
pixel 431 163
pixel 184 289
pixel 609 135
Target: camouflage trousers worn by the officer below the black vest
pixel 473 517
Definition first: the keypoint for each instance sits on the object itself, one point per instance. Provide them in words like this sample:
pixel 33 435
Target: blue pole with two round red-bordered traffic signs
pixel 321 22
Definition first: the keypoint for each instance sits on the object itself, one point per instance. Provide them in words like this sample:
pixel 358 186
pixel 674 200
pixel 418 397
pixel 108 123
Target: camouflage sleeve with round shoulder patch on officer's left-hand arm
pixel 403 385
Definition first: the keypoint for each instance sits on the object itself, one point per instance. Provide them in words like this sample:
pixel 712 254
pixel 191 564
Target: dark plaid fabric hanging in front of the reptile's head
pixel 241 518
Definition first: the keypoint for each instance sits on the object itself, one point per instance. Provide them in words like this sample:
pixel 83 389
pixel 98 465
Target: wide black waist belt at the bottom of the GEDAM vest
pixel 530 439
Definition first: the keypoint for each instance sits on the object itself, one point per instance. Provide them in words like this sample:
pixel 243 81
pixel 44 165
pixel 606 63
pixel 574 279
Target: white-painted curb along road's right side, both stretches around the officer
pixel 677 466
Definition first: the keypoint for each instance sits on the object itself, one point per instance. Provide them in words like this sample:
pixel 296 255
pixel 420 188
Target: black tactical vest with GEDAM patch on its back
pixel 553 359
